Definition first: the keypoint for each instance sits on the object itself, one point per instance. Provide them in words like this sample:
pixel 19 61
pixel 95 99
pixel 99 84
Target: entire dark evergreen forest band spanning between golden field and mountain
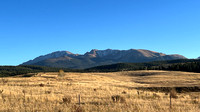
pixel 188 65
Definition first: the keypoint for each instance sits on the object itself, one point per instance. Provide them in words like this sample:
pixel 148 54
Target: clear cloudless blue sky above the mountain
pixel 30 28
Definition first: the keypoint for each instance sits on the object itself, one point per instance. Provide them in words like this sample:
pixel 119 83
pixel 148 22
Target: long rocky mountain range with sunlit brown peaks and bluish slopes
pixel 65 59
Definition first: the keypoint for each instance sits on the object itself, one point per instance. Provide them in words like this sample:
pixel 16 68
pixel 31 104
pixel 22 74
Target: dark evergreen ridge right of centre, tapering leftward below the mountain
pixel 172 65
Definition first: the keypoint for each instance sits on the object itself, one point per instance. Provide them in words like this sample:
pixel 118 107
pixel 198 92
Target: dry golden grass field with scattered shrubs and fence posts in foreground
pixel 132 91
